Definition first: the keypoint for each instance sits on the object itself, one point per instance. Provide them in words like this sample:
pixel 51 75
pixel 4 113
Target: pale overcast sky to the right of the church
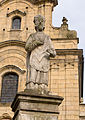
pixel 73 10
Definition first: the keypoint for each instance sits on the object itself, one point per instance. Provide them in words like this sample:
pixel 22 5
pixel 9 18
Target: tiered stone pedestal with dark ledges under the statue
pixel 28 105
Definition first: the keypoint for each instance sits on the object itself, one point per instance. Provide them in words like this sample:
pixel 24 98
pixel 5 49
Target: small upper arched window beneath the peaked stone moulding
pixel 16 23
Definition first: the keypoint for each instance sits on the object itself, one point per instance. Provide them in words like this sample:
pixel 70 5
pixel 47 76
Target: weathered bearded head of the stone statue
pixel 39 22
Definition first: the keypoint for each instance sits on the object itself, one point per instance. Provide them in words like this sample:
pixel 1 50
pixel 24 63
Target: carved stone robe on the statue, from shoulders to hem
pixel 40 48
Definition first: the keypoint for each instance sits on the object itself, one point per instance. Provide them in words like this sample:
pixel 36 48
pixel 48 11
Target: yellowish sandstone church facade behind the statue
pixel 66 69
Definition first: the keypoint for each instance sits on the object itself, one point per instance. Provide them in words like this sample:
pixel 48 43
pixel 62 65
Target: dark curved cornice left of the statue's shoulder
pixel 12 43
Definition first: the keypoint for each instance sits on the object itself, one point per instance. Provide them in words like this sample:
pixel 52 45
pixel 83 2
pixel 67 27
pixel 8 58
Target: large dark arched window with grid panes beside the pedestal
pixel 9 87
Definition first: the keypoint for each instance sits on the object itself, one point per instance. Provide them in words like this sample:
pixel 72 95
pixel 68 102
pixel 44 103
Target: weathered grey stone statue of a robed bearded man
pixel 39 49
